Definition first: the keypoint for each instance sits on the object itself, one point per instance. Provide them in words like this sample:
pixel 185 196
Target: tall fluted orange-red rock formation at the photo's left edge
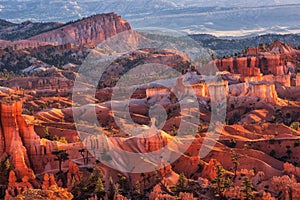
pixel 18 139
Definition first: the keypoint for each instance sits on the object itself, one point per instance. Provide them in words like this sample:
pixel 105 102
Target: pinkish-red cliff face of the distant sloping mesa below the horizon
pixel 91 31
